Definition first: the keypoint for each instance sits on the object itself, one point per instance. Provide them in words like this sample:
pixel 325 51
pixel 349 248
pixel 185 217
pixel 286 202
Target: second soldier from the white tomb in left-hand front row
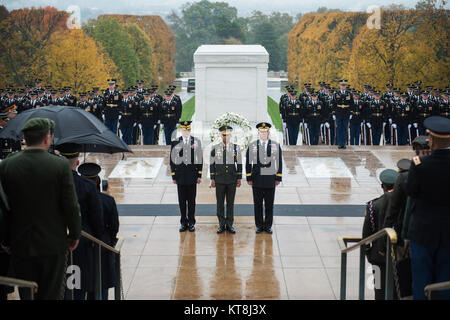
pixel 148 116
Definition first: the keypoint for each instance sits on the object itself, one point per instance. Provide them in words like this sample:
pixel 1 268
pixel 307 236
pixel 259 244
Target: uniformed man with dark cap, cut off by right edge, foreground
pixel 429 225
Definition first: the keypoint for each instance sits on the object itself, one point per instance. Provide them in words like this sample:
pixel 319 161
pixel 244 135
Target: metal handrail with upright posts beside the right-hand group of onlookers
pixel 391 238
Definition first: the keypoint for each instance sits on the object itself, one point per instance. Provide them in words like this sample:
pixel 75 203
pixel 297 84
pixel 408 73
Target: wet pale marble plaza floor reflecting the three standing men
pixel 301 260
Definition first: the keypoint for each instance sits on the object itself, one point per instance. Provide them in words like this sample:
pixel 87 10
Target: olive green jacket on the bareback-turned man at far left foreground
pixel 43 203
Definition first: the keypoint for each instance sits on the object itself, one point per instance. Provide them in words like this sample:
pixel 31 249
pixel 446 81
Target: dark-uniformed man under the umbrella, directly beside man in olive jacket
pixel 91 221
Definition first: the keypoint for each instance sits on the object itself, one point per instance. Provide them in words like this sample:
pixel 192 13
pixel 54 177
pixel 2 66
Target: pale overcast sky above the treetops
pixel 164 7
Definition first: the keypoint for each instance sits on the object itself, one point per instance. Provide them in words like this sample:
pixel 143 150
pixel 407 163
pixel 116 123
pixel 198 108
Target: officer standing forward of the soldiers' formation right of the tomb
pixel 343 99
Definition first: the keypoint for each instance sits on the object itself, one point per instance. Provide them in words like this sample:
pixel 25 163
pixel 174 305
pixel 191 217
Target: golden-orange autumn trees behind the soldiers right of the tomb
pixel 411 45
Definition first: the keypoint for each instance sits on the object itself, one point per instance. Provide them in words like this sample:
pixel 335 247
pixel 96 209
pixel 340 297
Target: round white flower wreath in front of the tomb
pixel 242 135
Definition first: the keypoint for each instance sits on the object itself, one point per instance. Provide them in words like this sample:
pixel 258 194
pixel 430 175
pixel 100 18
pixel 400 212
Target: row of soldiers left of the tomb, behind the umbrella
pixel 137 111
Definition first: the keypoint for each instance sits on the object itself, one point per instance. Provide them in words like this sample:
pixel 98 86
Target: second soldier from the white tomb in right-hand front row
pixel 314 116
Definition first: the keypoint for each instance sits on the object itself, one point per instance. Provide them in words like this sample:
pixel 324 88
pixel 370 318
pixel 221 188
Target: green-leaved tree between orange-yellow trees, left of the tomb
pixel 118 43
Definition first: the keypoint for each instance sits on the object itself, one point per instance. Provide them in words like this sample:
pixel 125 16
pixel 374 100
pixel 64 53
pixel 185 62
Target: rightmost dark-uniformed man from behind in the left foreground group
pixel 90 171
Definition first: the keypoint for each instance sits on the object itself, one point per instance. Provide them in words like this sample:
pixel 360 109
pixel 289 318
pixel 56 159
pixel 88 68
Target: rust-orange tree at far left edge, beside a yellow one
pixel 24 37
